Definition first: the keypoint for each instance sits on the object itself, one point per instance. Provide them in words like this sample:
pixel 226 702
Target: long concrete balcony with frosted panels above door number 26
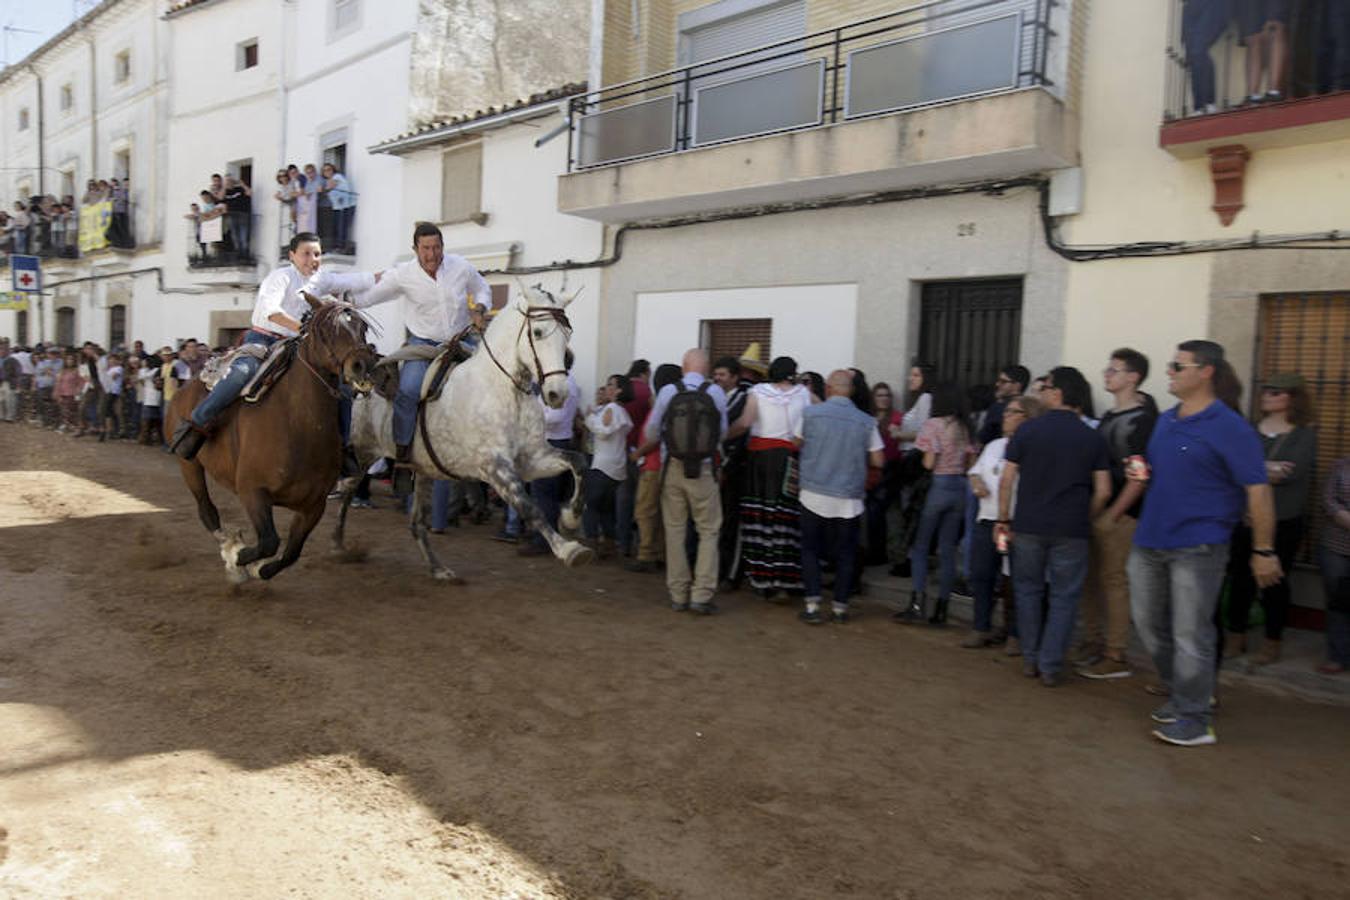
pixel 923 96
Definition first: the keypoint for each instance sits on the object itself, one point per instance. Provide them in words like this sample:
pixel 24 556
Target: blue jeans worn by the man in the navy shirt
pixel 1060 563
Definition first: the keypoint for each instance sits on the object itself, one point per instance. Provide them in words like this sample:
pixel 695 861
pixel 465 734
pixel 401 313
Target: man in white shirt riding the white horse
pixel 443 296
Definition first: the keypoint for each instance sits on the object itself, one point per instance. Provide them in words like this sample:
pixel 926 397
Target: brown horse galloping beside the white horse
pixel 287 449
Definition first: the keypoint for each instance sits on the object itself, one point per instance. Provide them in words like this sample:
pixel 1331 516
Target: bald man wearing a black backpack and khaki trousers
pixel 688 423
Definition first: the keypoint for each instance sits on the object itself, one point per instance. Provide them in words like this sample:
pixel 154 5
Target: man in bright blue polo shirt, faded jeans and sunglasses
pixel 1208 466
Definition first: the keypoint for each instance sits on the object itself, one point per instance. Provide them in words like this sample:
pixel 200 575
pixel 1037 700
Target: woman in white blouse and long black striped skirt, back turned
pixel 772 536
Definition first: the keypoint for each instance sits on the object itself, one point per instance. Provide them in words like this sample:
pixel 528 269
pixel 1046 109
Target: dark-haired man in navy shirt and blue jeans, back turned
pixel 1062 472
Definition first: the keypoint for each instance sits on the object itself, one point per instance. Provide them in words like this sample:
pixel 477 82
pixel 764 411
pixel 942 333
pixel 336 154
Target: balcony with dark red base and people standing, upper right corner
pixel 1220 94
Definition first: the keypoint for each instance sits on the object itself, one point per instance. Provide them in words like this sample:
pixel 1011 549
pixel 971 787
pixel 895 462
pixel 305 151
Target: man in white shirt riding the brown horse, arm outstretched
pixel 277 312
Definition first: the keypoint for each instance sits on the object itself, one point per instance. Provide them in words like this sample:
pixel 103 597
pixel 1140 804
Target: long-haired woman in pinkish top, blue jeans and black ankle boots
pixel 946 443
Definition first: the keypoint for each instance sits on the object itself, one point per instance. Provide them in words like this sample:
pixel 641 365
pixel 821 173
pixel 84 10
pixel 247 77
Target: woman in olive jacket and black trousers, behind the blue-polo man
pixel 1291 451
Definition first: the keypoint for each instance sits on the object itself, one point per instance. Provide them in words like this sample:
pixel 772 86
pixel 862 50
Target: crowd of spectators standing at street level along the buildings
pixel 732 474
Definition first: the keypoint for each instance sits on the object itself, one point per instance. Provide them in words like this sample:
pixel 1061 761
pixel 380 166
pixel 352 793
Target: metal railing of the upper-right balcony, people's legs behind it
pixel 1210 47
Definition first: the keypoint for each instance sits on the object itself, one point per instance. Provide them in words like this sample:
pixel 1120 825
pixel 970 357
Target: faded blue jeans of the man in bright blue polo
pixel 1174 596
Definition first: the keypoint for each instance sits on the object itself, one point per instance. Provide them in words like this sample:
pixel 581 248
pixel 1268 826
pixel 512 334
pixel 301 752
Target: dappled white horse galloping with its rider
pixel 488 426
